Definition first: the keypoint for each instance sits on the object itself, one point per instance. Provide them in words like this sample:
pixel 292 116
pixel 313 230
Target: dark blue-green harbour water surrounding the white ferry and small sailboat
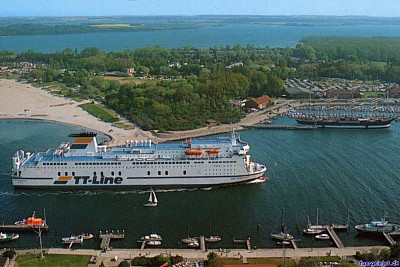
pixel 334 170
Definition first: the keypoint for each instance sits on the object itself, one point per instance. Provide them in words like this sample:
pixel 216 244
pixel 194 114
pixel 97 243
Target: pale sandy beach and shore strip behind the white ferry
pixel 23 101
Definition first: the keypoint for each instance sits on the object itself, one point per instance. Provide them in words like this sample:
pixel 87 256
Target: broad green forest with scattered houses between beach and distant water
pixel 182 88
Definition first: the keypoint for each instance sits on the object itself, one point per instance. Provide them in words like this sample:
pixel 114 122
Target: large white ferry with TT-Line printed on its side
pixel 137 164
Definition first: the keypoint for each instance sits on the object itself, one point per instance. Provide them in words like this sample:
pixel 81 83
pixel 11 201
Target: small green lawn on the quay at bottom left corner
pixel 52 260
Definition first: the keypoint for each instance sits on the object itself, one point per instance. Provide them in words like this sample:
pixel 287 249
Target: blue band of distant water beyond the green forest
pixel 259 35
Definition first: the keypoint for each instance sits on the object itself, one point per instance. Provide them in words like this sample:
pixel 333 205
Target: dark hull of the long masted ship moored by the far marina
pixel 347 124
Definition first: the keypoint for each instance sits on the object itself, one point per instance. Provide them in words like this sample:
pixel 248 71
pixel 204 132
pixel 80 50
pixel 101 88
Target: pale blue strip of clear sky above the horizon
pixel 377 8
